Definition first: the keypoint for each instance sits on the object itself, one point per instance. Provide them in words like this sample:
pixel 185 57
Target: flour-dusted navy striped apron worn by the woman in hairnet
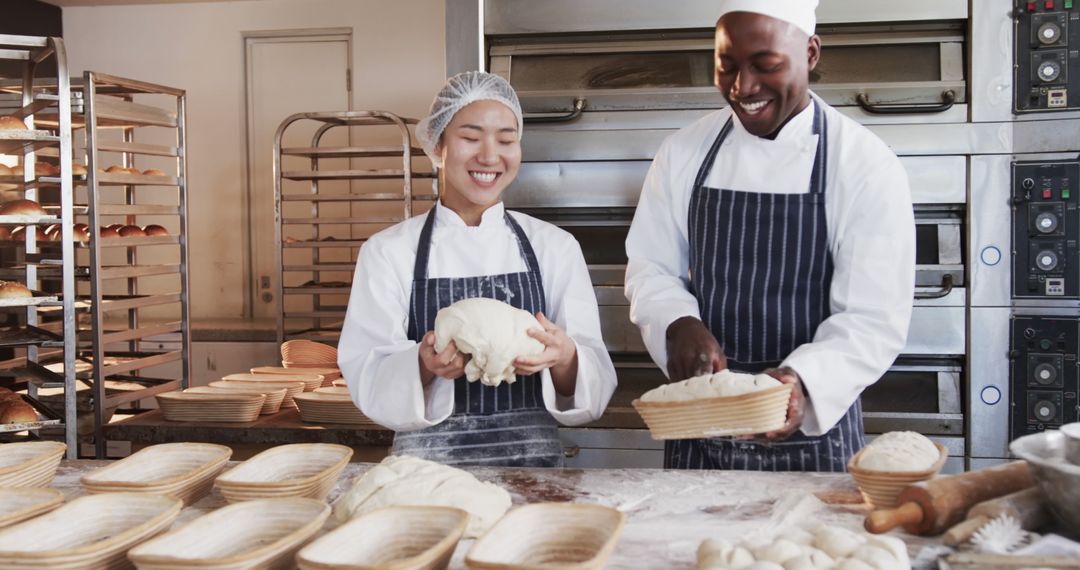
pixel 507 425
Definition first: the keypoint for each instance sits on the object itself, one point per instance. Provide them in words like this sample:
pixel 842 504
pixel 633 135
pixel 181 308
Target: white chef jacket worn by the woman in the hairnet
pixel 382 365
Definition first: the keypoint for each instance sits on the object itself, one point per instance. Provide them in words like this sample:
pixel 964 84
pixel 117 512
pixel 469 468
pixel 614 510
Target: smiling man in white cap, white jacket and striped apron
pixel 776 235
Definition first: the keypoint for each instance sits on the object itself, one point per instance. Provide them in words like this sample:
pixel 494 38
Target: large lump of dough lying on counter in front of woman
pixel 410 481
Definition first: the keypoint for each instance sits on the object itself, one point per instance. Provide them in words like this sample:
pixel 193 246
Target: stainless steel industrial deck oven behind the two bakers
pixel 603 84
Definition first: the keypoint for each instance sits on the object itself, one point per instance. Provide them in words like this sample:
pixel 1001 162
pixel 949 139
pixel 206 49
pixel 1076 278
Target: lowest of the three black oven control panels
pixel 1045 376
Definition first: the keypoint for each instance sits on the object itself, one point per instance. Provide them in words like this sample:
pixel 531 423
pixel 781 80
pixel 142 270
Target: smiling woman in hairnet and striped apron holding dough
pixel 470 247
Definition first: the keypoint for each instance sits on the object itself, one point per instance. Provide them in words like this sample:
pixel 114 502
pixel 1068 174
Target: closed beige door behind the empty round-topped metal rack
pixel 291 73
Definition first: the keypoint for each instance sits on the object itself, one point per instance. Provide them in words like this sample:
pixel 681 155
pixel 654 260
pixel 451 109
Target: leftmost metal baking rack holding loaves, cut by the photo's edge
pixel 37 342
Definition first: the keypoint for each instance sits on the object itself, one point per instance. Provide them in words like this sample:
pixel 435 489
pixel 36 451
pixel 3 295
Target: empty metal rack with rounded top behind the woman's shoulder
pixel 315 268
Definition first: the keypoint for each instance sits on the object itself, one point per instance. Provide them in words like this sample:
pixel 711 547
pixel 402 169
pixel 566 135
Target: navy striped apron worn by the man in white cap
pixel 761 269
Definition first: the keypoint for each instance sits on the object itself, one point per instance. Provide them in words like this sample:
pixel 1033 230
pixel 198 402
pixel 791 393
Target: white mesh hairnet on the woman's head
pixel 458 92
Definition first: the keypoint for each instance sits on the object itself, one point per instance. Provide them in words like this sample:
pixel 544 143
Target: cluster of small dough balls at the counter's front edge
pixel 825 548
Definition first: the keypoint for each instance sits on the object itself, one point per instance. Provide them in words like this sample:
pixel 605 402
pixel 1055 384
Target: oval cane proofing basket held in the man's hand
pixel 749 414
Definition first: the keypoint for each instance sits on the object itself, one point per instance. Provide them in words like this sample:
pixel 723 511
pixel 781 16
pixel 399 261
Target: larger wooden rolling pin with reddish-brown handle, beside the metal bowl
pixel 933 507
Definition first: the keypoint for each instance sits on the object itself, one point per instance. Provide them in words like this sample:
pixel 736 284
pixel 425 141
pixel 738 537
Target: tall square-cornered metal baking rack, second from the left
pixel 118 287
